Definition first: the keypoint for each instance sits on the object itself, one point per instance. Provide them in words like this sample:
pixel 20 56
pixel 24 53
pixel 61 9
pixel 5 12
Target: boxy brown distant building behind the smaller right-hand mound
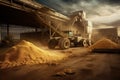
pixel 110 33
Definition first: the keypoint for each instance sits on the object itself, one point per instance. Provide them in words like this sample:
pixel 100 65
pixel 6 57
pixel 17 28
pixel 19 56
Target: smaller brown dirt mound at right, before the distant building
pixel 104 44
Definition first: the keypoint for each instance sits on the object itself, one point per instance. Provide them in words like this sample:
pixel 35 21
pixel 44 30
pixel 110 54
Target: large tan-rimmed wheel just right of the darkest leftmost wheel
pixel 64 43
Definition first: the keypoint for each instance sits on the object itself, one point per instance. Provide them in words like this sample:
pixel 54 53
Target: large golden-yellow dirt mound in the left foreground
pixel 27 53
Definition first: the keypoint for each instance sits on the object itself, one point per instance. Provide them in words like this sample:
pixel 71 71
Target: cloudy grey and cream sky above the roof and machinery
pixel 106 12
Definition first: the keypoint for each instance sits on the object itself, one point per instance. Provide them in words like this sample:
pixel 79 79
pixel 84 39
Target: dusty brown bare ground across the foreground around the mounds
pixel 82 66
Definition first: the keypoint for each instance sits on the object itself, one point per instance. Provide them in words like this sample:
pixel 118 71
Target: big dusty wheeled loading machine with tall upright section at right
pixel 78 33
